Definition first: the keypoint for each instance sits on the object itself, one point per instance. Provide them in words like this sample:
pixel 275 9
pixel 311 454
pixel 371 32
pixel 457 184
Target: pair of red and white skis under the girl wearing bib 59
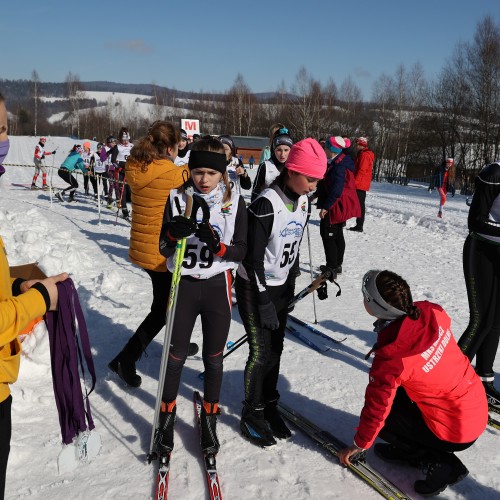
pixel 208 461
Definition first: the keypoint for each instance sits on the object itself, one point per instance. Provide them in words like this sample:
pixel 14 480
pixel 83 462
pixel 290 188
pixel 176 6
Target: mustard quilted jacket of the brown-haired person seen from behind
pixel 150 190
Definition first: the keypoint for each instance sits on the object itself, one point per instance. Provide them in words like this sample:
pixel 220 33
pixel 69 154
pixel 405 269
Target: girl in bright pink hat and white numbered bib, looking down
pixel 265 283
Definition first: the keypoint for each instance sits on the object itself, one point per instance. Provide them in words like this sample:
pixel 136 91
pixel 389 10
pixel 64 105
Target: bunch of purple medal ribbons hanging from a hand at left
pixel 69 348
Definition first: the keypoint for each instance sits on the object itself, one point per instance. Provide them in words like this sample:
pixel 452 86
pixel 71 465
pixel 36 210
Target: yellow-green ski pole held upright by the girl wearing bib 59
pixel 169 322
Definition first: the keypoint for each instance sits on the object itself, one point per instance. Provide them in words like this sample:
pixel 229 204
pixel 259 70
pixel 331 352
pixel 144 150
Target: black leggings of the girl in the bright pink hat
pixel 263 364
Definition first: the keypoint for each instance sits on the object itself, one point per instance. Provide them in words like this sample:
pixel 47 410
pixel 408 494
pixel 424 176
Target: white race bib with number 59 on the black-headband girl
pixel 199 261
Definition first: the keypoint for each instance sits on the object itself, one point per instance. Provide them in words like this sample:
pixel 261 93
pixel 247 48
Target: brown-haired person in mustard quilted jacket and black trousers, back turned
pixel 152 174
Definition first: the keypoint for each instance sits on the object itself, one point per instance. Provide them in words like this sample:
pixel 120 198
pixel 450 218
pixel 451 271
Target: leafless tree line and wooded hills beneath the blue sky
pixel 412 123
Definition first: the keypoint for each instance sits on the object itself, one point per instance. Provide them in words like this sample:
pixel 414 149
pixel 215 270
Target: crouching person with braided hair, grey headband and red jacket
pixel 424 398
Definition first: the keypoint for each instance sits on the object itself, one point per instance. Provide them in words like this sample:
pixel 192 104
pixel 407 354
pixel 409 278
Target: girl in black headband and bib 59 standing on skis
pixel 214 248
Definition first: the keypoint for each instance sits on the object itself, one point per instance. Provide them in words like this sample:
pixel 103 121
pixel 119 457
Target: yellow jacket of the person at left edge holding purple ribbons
pixel 15 314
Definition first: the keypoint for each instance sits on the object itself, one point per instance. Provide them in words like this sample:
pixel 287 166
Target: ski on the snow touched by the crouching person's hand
pixel 331 444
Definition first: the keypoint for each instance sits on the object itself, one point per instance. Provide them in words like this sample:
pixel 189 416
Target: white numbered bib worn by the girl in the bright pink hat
pixel 284 242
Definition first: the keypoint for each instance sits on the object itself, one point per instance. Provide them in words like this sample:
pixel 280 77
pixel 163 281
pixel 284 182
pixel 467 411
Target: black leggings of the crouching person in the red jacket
pixel 405 427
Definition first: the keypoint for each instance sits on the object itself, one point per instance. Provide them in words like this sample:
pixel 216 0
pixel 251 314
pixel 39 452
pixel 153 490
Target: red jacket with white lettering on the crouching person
pixel 423 357
